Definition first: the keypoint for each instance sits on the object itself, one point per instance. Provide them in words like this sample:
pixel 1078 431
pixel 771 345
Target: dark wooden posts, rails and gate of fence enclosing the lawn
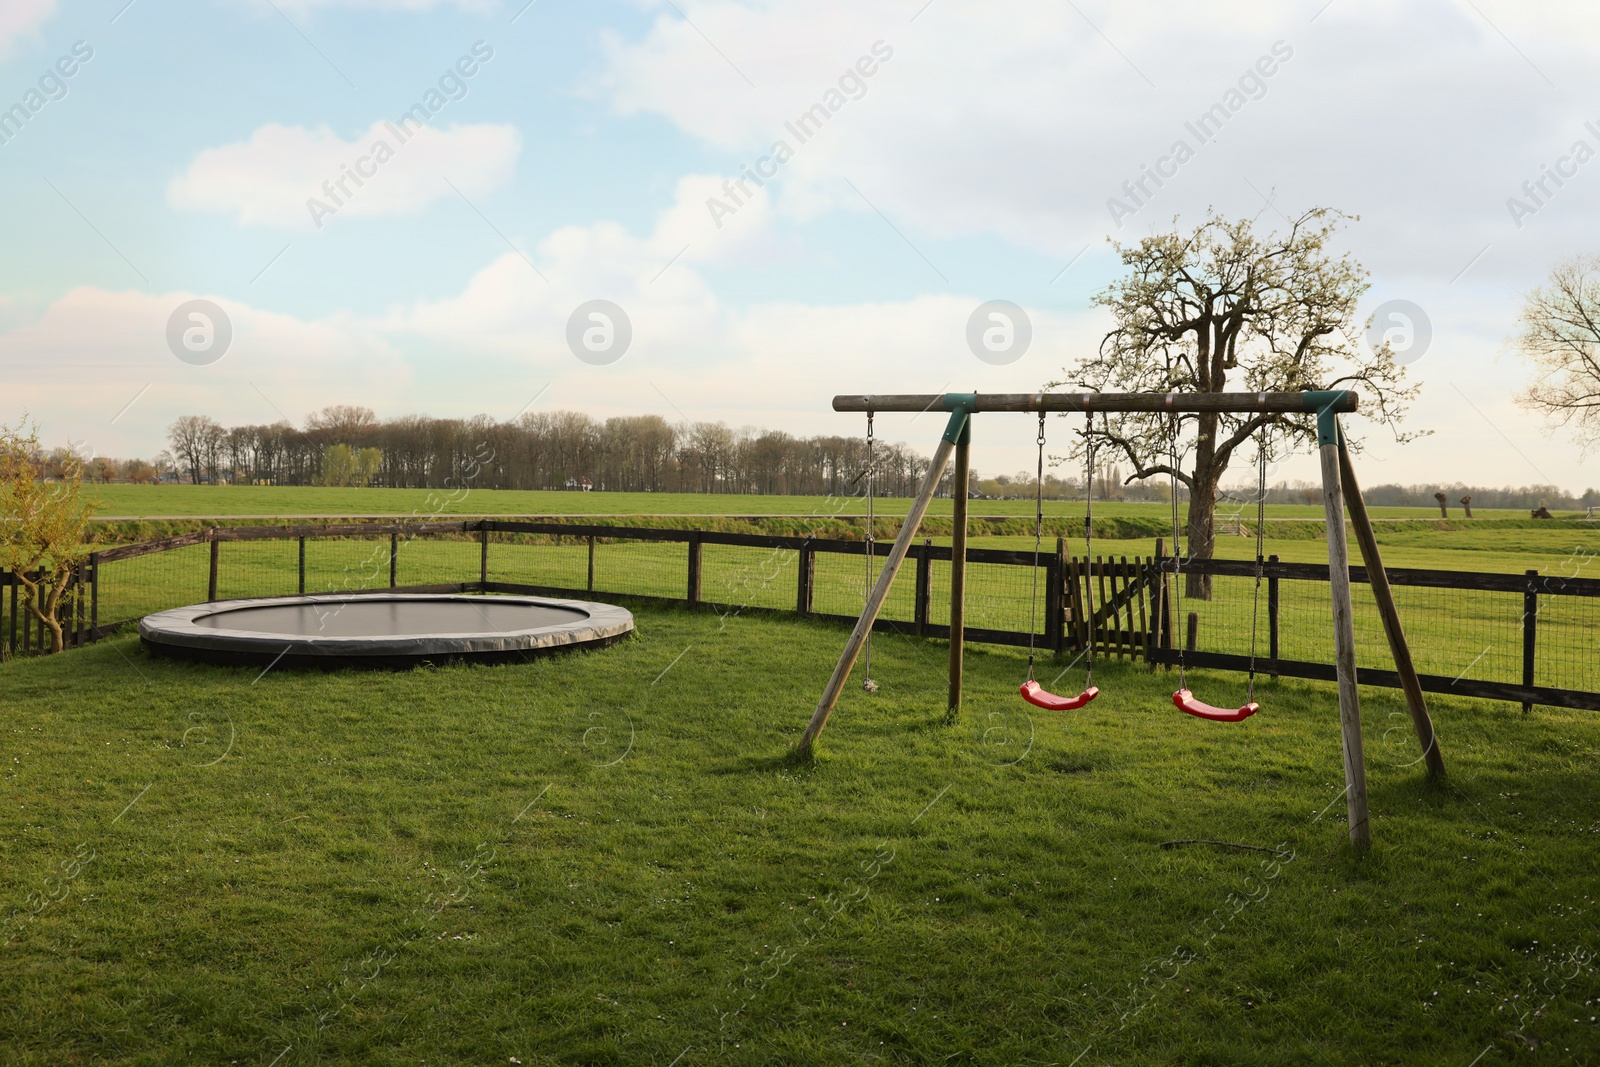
pixel 1132 596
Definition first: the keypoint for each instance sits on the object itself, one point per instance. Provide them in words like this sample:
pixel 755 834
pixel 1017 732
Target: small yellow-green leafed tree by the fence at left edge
pixel 42 527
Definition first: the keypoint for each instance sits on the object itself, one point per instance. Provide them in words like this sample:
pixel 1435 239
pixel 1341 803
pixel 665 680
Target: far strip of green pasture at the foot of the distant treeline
pixel 142 502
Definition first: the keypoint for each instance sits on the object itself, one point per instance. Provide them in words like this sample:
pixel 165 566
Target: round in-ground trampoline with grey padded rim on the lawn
pixel 391 631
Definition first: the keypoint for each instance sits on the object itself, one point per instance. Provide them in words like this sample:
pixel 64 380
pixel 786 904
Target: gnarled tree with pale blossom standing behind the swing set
pixel 1223 310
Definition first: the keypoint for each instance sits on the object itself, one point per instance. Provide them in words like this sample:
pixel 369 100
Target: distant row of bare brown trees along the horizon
pixel 570 450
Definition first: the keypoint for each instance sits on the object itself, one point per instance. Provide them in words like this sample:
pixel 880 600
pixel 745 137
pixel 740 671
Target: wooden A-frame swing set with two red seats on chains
pixel 1340 494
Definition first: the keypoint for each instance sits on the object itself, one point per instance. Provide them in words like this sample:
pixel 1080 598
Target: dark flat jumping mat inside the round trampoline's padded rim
pixel 393 618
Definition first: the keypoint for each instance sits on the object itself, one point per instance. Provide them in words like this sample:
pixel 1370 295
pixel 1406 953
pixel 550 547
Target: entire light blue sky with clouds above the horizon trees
pixel 732 210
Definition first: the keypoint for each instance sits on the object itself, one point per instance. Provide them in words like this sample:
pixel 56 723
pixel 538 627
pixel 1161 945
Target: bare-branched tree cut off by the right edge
pixel 1561 337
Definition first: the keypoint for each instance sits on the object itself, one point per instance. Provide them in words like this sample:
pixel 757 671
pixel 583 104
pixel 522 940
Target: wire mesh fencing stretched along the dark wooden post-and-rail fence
pixel 1498 636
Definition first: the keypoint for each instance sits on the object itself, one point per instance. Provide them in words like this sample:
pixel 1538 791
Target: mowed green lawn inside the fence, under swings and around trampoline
pixel 609 860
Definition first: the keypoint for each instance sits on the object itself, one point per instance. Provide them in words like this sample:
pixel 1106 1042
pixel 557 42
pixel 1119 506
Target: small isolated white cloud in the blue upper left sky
pixel 282 175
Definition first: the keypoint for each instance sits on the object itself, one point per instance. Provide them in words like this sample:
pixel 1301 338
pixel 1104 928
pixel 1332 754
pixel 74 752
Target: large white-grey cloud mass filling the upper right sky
pixel 1418 116
